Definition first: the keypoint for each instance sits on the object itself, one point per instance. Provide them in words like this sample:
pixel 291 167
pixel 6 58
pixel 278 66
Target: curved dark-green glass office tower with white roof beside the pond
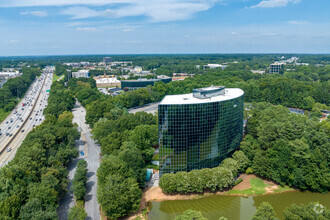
pixel 199 130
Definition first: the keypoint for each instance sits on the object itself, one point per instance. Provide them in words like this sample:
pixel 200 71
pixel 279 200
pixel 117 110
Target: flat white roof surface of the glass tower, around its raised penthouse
pixel 230 93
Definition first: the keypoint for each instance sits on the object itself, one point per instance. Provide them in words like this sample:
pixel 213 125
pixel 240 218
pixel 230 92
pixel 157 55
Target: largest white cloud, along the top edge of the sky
pixel 154 10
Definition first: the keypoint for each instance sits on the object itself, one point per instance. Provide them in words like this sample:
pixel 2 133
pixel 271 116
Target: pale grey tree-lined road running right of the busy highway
pixel 91 155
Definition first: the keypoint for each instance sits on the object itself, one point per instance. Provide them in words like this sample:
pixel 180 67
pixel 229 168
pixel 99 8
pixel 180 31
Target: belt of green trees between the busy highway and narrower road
pixel 32 183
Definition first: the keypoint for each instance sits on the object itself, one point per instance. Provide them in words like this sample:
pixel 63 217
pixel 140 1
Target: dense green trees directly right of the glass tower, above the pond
pixel 288 148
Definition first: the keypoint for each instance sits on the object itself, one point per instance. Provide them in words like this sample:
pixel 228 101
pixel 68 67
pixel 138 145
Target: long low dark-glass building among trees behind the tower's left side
pixel 140 83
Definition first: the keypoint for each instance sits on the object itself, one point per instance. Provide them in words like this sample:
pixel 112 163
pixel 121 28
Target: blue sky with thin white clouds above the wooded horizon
pixel 65 27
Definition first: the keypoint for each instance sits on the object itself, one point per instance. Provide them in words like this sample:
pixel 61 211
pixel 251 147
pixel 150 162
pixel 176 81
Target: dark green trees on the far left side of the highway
pixel 14 89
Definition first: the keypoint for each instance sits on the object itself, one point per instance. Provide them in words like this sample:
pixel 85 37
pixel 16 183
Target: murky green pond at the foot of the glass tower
pixel 233 207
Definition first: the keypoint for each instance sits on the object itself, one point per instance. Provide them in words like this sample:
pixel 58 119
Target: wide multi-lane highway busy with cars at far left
pixel 25 116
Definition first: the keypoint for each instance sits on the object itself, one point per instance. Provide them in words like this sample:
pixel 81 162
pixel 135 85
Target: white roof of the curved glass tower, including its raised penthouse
pixel 211 94
